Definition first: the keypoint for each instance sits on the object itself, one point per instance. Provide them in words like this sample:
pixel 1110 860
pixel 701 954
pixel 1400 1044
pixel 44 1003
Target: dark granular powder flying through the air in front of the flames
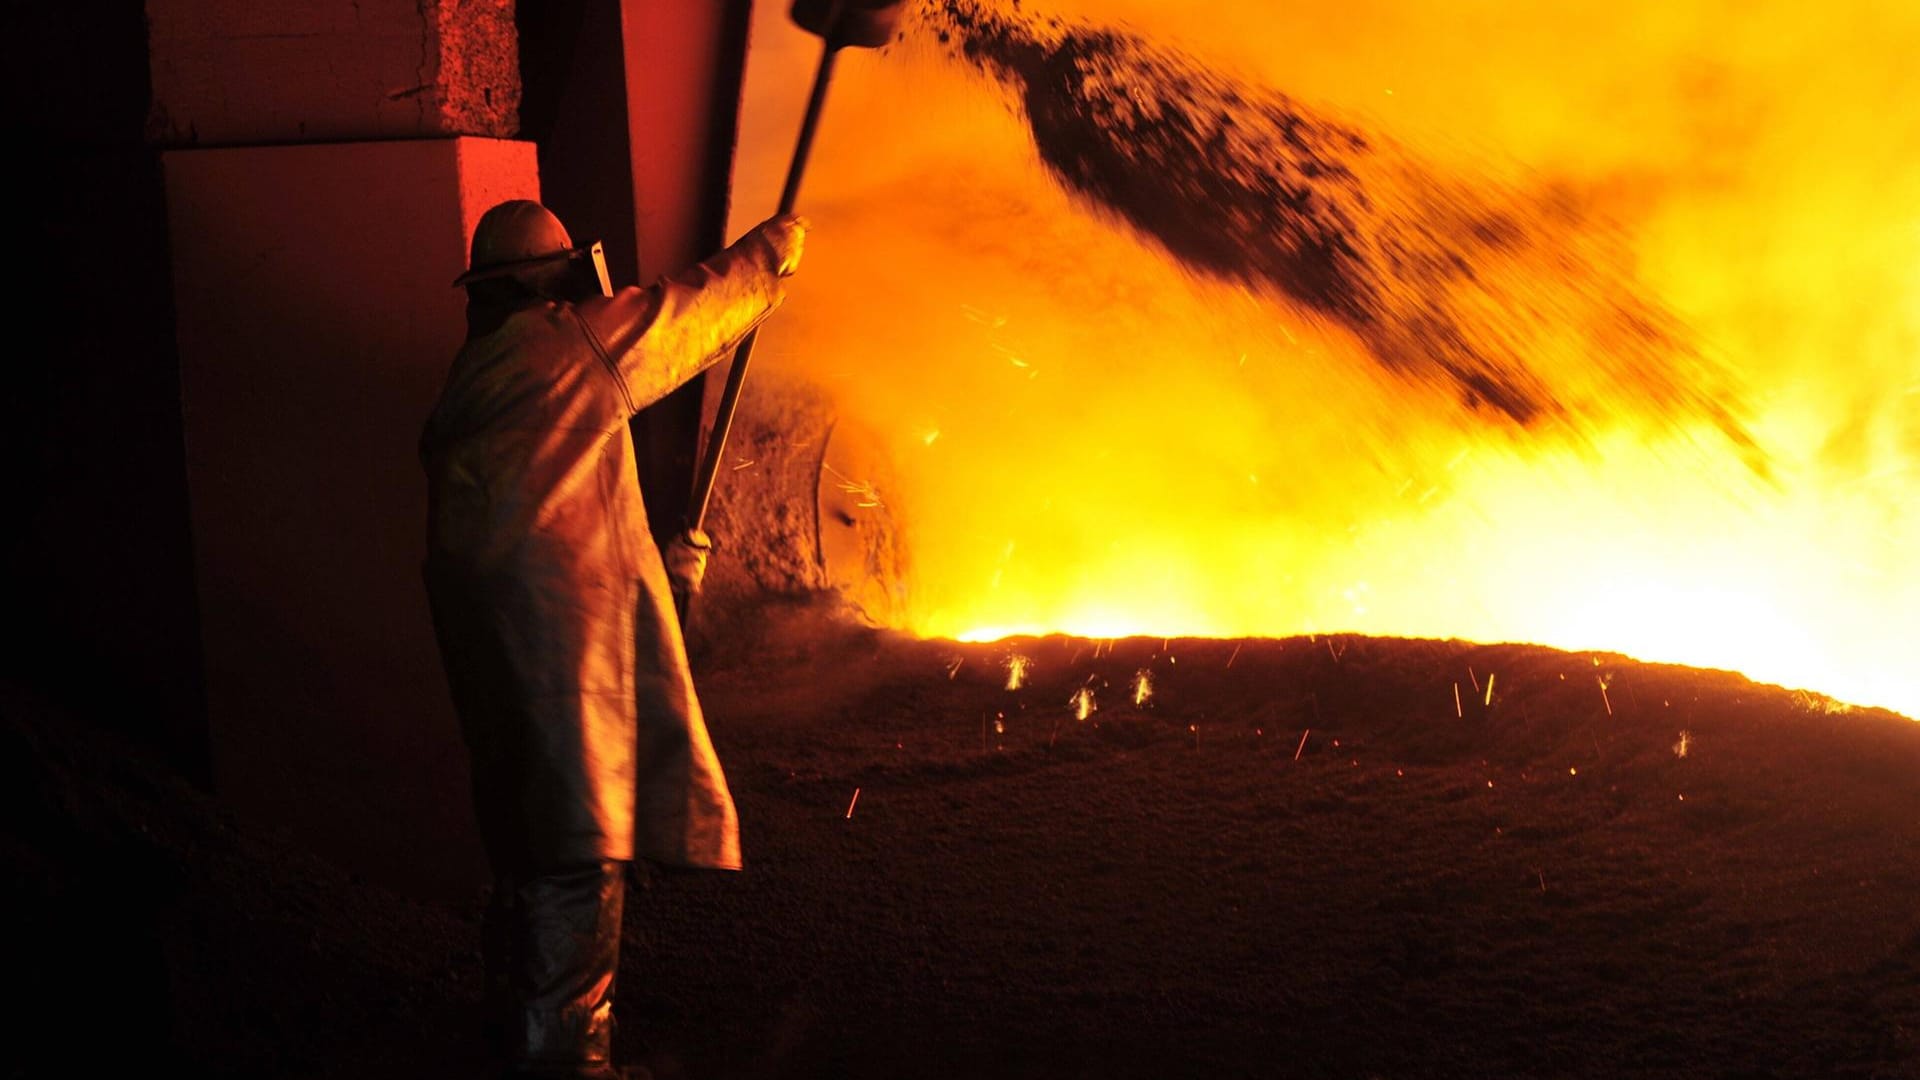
pixel 1512 301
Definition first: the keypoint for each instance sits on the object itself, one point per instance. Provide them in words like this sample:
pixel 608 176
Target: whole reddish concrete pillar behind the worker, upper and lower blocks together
pixel 325 164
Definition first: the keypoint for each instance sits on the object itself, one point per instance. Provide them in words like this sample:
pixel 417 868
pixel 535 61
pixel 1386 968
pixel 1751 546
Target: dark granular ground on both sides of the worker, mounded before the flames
pixel 1533 889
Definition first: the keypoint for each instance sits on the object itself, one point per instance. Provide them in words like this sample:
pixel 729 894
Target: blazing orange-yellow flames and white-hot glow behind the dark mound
pixel 1128 449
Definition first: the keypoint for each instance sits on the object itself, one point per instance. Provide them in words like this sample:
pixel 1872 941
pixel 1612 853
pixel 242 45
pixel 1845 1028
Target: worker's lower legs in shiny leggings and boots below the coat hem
pixel 564 948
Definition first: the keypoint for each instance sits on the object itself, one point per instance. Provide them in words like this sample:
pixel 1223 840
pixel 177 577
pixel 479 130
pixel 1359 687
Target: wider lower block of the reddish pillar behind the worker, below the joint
pixel 316 322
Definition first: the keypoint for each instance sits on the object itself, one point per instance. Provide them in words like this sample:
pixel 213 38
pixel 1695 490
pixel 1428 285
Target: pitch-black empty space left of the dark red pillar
pixel 99 556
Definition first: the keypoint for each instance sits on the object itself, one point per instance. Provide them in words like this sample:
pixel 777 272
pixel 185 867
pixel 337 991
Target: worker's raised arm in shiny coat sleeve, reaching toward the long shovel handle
pixel 663 335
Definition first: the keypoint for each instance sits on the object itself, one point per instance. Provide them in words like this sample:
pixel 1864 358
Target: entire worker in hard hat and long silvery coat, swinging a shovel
pixel 554 606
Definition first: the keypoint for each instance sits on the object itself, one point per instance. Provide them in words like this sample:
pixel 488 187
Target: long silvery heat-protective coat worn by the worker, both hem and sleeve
pixel 554 612
